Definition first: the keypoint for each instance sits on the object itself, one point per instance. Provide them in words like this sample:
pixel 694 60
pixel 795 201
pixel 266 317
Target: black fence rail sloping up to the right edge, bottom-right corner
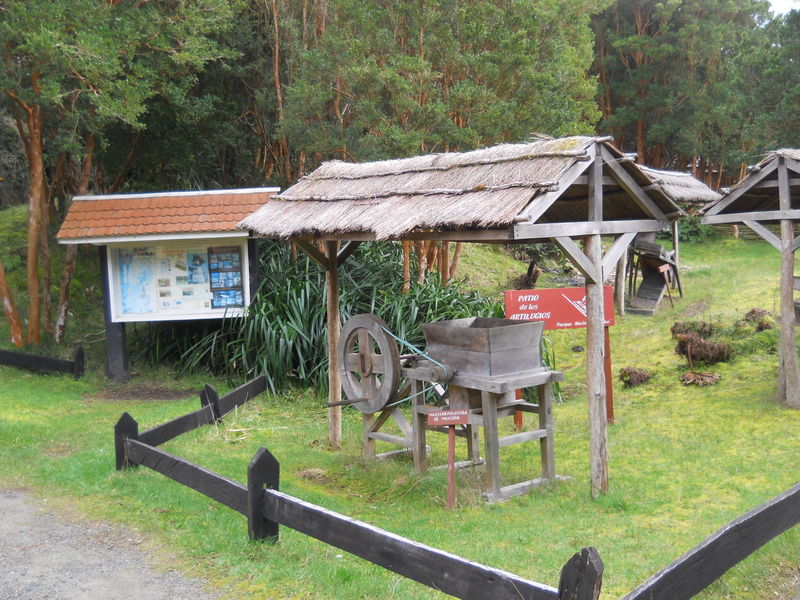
pixel 709 560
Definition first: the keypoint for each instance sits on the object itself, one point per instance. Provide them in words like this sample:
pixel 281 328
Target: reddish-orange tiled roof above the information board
pixel 166 213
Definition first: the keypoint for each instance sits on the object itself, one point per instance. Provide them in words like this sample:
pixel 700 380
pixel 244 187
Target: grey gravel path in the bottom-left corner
pixel 44 555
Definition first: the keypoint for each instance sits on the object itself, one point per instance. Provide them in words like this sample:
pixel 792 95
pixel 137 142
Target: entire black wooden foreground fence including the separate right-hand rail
pixel 267 508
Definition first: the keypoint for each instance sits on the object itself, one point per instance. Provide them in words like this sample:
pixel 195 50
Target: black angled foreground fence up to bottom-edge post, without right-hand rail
pixel 267 508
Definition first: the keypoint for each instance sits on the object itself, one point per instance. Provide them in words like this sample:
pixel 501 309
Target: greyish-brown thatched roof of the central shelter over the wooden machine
pixel 477 190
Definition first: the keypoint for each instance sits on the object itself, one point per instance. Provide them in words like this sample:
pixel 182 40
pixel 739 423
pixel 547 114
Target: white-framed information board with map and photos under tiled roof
pixel 168 281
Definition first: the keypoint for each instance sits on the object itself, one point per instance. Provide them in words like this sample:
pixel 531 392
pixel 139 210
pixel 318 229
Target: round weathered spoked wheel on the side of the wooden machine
pixel 369 363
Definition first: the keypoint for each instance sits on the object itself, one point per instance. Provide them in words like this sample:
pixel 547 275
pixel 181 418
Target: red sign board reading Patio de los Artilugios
pixel 559 308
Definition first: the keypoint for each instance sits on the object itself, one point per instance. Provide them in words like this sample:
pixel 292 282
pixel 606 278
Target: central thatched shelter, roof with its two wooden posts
pixel 571 191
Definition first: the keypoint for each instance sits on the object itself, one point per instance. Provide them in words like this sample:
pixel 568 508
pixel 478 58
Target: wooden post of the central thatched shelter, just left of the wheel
pixel 334 327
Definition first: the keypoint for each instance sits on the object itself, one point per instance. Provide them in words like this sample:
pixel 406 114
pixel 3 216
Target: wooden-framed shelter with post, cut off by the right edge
pixel 769 195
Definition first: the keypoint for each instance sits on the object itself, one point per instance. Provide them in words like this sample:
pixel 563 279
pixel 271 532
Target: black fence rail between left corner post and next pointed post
pixel 219 488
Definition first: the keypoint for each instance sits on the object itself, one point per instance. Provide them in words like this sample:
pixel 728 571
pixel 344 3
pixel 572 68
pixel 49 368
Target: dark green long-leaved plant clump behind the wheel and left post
pixel 283 333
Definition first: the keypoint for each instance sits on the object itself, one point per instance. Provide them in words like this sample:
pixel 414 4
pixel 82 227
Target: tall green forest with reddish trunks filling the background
pixel 136 96
